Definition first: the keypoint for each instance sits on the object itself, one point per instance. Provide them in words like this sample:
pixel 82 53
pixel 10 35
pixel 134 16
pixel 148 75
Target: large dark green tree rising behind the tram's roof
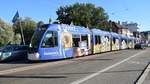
pixel 82 14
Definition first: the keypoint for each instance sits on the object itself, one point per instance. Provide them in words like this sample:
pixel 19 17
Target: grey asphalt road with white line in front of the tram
pixel 118 67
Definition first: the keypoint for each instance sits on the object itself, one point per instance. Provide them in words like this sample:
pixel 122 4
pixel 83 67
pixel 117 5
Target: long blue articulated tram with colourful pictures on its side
pixel 60 41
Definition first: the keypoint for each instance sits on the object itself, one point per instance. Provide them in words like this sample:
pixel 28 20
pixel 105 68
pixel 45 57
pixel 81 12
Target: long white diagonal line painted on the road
pixel 103 70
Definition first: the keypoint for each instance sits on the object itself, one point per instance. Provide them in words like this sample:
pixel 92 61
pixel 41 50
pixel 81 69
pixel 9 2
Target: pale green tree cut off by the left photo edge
pixel 6 33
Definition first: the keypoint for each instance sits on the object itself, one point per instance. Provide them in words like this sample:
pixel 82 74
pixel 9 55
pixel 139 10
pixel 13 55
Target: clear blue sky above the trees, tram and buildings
pixel 137 11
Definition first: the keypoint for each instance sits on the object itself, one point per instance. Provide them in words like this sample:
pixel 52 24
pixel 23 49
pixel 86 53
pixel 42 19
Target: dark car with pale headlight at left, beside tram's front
pixel 13 52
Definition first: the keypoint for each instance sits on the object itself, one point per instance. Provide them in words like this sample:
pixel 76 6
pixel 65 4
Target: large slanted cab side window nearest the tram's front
pixel 50 39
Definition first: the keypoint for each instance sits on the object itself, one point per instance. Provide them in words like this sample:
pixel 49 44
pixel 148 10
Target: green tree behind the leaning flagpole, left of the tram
pixel 28 26
